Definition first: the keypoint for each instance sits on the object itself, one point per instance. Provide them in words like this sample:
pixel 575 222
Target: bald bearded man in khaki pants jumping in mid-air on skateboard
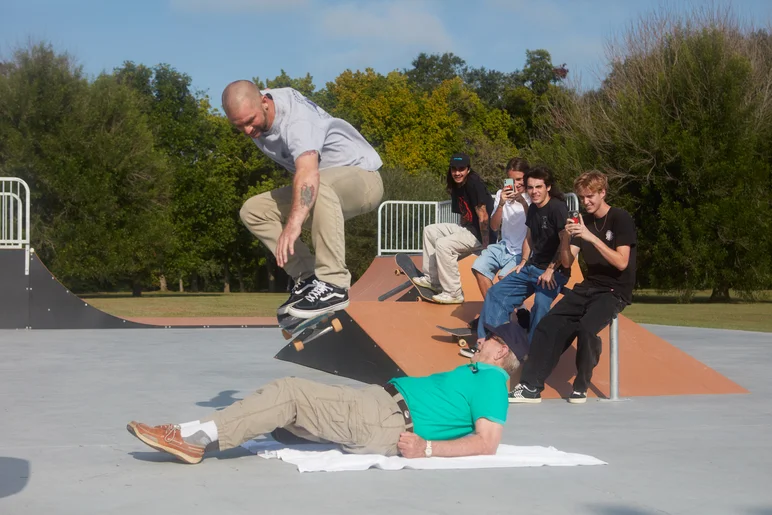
pixel 335 177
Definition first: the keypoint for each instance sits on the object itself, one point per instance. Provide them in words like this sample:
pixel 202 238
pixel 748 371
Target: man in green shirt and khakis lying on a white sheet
pixel 457 413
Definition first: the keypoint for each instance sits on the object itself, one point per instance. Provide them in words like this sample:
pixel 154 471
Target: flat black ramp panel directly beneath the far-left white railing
pixel 14 312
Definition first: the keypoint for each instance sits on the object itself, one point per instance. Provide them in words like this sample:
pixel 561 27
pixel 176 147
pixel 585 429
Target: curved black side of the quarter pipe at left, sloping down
pixel 53 306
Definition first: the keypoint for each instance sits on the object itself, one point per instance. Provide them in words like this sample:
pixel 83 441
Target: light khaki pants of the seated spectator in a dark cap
pixel 443 243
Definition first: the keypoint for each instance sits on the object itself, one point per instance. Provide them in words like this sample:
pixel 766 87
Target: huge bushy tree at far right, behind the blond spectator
pixel 683 124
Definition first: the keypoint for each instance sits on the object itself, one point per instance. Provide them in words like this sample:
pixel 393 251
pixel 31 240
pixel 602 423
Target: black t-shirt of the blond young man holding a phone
pixel 616 229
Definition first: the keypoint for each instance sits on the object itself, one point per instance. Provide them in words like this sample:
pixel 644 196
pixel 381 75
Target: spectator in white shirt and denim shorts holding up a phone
pixel 509 210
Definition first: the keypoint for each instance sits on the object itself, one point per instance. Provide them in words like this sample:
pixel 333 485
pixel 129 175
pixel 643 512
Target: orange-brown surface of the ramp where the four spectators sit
pixel 407 333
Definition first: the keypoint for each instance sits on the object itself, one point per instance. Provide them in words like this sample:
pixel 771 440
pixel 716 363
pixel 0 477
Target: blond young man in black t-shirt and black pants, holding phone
pixel 606 237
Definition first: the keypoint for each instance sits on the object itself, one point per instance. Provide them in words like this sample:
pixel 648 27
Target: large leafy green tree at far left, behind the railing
pixel 99 188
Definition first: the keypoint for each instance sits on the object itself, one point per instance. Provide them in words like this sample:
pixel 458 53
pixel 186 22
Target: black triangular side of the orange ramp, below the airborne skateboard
pixel 350 353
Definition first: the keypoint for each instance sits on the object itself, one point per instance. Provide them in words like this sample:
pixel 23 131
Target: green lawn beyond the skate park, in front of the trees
pixel 649 307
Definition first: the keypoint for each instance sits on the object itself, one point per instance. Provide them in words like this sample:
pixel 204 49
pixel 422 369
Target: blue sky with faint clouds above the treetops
pixel 216 41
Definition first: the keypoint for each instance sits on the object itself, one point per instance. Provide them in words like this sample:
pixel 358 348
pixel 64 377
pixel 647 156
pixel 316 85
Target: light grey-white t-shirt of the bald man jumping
pixel 300 125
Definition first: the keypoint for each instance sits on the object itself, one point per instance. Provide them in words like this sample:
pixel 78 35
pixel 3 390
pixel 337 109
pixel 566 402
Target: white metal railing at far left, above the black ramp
pixel 14 213
